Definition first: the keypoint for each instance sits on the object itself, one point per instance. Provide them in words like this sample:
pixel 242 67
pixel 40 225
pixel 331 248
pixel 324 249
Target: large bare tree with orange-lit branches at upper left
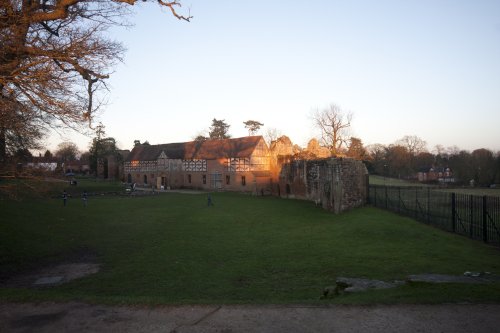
pixel 54 60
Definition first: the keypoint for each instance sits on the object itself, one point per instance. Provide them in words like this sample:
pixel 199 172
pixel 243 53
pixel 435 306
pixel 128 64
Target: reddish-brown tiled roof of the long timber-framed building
pixel 209 149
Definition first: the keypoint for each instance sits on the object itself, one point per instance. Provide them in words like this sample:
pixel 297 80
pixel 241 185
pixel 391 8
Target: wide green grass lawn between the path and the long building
pixel 173 249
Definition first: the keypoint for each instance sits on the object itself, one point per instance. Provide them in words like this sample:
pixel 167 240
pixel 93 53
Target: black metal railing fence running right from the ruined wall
pixel 477 217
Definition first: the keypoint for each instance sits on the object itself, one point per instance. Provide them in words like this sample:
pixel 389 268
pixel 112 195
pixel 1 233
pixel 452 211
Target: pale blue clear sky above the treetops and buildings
pixel 429 68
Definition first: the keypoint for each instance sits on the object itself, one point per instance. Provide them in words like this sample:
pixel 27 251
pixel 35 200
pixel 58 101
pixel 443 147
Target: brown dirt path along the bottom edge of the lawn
pixel 80 317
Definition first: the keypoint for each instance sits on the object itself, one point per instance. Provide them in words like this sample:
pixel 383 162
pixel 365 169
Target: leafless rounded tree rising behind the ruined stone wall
pixel 334 125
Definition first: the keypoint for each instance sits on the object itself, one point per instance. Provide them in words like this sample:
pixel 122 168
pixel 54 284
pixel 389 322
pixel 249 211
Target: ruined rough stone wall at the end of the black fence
pixel 337 184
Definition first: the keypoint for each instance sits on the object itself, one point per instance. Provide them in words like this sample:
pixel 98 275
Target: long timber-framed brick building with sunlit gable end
pixel 240 164
